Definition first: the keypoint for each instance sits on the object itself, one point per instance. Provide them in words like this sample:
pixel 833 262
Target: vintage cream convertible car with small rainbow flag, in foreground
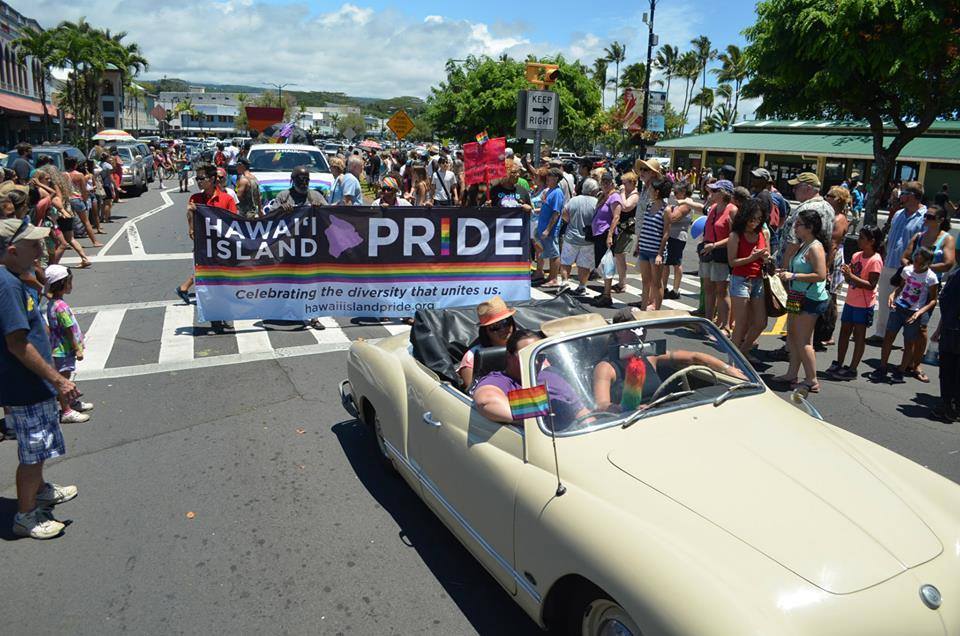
pixel 716 507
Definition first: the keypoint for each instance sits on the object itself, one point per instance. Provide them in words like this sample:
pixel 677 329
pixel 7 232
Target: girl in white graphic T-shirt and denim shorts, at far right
pixel 912 303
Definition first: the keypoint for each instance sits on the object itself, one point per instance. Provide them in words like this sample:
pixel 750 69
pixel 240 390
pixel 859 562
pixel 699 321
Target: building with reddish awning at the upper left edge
pixel 21 111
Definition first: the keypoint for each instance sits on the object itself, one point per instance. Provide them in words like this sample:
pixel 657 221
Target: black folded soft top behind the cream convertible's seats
pixel 440 337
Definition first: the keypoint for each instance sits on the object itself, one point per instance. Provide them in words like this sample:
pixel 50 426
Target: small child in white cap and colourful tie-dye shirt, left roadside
pixel 66 339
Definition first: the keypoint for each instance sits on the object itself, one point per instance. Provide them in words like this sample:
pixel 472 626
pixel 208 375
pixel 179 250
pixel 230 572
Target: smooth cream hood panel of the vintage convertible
pixel 782 484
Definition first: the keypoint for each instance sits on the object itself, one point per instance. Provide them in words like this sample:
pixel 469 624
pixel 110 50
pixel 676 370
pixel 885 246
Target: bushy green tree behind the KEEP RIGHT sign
pixel 481 94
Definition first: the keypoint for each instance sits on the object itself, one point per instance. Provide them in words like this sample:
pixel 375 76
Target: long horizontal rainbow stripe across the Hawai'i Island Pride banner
pixel 361 273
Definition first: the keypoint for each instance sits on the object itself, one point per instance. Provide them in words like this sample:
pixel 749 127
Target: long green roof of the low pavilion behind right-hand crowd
pixel 938 149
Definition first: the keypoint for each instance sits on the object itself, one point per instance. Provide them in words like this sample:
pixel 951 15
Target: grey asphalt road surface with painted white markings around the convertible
pixel 295 527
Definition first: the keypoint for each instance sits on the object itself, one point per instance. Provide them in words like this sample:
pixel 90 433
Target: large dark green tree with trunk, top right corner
pixel 889 62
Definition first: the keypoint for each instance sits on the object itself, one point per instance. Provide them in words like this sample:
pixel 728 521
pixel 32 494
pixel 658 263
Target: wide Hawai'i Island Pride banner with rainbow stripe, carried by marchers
pixel 357 261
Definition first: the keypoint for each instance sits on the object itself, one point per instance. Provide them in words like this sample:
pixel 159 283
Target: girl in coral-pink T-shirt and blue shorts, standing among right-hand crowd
pixel 862 275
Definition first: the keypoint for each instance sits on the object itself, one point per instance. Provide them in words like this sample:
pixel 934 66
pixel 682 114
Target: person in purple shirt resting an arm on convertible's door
pixel 490 394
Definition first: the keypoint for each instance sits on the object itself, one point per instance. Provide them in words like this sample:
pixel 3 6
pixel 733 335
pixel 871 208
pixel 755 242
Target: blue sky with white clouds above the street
pixel 377 48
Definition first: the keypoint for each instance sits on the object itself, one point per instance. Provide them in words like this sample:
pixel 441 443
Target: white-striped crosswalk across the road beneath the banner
pixel 185 345
